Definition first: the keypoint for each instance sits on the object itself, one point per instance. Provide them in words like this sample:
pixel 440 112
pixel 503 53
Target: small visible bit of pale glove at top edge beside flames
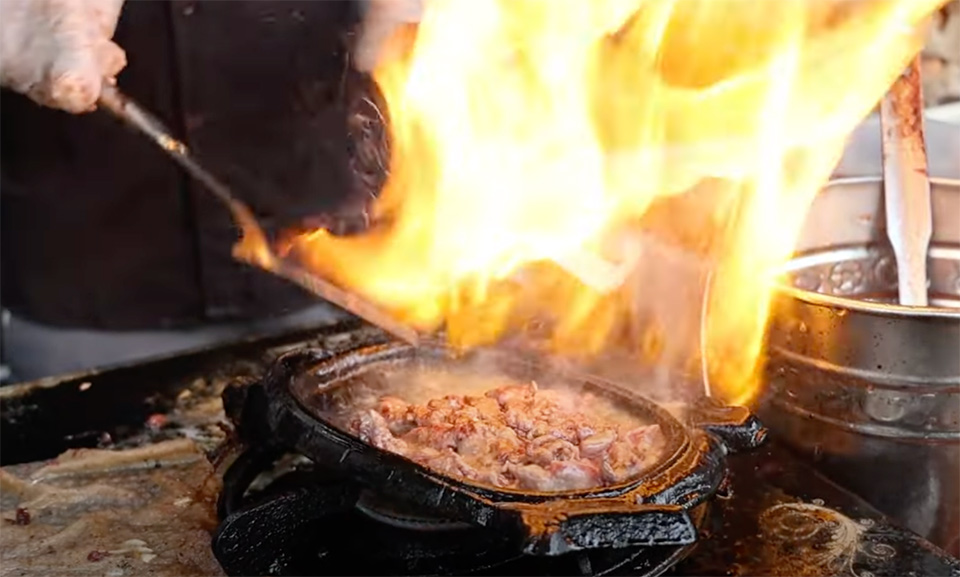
pixel 381 19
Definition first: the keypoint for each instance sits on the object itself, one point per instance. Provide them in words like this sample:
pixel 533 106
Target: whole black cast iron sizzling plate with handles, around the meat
pixel 649 510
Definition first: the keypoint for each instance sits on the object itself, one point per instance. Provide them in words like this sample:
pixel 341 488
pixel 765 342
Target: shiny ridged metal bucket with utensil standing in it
pixel 870 389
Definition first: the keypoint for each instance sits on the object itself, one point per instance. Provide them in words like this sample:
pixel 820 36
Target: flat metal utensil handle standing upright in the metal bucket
pixel 907 184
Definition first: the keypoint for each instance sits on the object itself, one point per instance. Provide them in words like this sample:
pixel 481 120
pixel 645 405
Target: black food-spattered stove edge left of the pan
pixel 110 408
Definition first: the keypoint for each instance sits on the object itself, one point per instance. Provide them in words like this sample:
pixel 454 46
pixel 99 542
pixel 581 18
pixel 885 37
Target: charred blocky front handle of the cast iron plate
pixel 562 526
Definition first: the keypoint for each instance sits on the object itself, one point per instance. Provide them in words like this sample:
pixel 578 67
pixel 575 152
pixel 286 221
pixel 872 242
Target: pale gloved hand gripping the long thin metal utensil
pixel 58 52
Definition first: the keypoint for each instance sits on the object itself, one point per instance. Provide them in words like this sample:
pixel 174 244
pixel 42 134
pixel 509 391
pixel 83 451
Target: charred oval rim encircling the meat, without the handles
pixel 329 371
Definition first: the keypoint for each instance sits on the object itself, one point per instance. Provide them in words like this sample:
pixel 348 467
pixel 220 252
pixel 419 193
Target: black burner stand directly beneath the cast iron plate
pixel 310 523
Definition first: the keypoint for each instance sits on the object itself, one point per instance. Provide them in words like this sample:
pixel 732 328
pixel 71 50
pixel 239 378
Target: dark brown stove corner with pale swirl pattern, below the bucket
pixel 784 518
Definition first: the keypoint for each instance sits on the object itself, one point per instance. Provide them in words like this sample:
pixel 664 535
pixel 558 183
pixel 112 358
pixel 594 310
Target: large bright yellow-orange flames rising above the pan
pixel 531 139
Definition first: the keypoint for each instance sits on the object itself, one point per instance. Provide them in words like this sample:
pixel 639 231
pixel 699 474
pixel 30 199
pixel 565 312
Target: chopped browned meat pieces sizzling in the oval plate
pixel 516 437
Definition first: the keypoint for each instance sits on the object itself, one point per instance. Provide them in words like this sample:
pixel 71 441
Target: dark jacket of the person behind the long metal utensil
pixel 100 230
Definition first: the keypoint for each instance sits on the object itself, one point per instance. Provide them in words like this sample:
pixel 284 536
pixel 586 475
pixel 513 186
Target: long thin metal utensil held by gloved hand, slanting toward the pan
pixel 259 253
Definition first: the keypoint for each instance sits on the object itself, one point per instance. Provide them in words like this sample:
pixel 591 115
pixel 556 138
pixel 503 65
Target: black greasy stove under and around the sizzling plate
pixel 281 514
